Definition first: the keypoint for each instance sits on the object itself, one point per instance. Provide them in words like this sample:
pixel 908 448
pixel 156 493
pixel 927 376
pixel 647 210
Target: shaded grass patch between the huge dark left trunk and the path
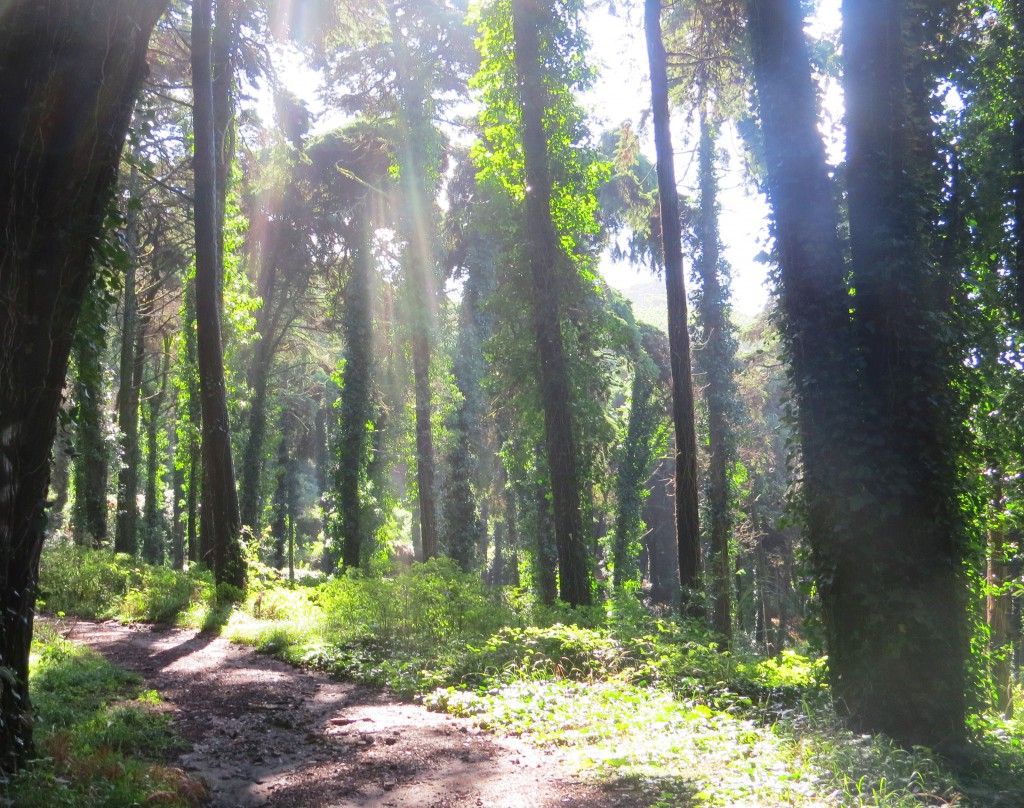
pixel 101 739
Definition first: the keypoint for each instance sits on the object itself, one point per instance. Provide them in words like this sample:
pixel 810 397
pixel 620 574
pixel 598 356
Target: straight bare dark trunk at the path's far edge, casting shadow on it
pixel 221 505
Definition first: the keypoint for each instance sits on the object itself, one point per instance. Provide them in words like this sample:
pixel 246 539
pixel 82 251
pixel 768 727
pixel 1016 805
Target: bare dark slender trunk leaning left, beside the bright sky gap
pixel 688 516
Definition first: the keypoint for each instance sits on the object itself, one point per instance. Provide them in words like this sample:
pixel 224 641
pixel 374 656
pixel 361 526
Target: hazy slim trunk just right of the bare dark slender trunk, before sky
pixel 717 361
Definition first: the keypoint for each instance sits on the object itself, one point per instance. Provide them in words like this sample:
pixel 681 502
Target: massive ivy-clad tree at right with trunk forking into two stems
pixel 873 387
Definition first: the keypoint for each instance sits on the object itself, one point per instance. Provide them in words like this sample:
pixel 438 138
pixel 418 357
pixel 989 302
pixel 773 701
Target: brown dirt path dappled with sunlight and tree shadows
pixel 265 734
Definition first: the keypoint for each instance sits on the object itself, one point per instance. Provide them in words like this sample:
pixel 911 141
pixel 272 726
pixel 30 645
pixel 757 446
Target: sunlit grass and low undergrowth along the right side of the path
pixel 636 701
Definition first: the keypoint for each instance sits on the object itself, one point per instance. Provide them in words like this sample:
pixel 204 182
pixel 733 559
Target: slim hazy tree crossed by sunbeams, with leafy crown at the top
pixel 406 61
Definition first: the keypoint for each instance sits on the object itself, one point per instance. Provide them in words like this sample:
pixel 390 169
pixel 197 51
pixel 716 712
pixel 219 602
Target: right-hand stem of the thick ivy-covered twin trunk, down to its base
pixel 902 606
